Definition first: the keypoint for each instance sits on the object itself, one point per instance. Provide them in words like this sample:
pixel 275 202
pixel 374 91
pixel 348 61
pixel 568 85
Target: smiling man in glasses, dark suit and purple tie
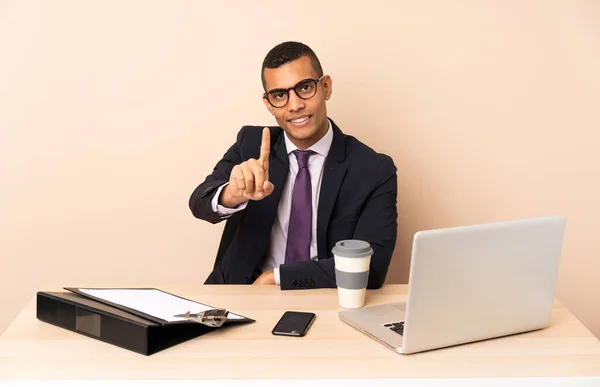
pixel 290 192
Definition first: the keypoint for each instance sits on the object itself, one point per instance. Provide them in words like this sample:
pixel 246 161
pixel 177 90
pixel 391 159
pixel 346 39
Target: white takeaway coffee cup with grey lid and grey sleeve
pixel 352 258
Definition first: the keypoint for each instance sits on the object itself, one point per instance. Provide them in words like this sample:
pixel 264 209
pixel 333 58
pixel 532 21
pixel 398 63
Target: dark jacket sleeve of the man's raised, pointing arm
pixel 200 201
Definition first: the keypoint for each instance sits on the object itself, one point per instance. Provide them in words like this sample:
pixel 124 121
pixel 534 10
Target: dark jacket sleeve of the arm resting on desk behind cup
pixel 378 225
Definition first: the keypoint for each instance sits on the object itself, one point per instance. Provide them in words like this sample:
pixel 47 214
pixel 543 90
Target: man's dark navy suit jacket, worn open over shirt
pixel 357 201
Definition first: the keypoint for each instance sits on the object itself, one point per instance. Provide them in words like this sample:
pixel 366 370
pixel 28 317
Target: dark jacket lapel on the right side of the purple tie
pixel 333 175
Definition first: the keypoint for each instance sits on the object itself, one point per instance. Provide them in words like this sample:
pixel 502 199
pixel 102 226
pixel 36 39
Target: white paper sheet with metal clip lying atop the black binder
pixel 142 303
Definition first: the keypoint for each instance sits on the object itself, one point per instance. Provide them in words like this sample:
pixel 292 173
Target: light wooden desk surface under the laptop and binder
pixel 30 349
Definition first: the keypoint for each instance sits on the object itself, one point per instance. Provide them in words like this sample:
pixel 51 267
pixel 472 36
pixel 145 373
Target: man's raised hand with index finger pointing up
pixel 250 179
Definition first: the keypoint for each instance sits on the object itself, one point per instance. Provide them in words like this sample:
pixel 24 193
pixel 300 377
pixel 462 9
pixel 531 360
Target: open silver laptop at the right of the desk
pixel 471 283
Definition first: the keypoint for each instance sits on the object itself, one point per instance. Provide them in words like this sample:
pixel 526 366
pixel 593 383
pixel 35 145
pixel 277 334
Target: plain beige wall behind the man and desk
pixel 111 112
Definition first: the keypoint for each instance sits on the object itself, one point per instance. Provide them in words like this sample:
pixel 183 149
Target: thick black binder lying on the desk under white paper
pixel 120 326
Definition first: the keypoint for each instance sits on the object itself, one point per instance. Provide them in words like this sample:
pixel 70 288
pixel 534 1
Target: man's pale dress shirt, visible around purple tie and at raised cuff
pixel 278 240
